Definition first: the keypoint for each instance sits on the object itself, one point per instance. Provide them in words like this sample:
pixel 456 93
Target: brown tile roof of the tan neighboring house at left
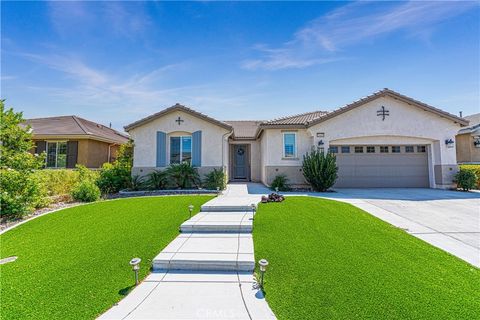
pixel 73 125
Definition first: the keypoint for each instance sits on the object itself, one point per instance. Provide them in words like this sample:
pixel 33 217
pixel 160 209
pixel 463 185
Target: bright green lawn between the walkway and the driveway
pixel 331 260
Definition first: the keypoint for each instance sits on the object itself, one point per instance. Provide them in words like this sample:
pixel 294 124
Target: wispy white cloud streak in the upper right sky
pixel 323 39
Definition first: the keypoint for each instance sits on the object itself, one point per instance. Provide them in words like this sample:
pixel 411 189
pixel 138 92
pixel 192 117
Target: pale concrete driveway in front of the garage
pixel 449 220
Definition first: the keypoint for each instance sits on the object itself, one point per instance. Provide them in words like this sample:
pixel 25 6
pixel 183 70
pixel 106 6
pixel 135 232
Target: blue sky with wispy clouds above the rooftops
pixel 120 61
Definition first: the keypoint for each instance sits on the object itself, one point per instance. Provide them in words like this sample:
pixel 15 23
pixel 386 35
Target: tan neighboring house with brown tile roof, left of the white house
pixel 71 140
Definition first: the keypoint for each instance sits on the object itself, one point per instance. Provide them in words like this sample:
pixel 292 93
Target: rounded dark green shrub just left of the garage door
pixel 320 170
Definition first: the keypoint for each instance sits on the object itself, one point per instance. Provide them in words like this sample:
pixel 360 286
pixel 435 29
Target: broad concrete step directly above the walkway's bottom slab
pixel 207 252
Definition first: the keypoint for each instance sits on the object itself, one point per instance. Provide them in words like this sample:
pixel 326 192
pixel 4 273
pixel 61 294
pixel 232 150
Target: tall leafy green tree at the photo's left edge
pixel 20 191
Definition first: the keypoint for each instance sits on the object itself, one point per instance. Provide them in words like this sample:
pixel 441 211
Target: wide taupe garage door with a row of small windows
pixel 374 166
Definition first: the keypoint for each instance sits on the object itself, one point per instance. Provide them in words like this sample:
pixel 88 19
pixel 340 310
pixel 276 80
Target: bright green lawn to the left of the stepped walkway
pixel 74 263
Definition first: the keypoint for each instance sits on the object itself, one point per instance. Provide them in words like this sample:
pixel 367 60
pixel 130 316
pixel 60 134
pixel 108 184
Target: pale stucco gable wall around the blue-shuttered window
pixel 214 139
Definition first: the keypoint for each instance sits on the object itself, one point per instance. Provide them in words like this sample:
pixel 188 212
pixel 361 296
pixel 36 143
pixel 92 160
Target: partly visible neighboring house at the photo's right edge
pixel 468 141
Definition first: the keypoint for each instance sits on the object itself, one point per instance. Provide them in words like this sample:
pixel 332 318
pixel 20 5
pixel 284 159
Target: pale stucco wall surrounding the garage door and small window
pixel 406 124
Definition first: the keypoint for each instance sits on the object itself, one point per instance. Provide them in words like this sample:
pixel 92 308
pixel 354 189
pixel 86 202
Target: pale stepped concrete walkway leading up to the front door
pixel 207 271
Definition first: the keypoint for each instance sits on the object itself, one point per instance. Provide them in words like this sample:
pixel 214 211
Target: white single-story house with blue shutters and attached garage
pixel 383 140
